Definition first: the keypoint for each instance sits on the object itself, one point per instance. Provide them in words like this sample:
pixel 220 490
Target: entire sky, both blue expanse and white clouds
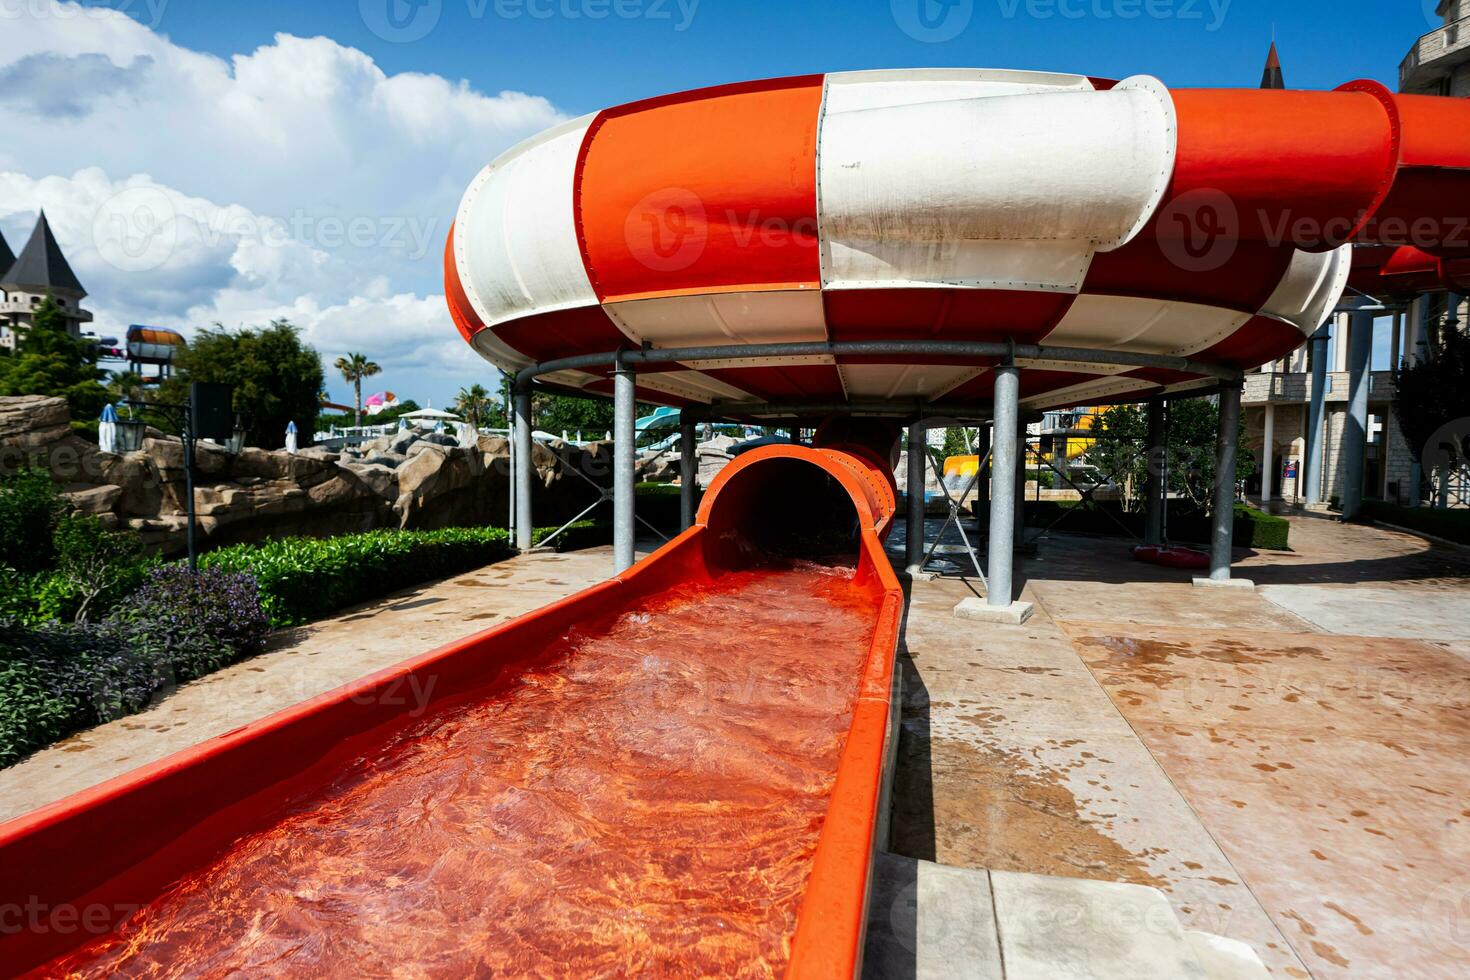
pixel 236 162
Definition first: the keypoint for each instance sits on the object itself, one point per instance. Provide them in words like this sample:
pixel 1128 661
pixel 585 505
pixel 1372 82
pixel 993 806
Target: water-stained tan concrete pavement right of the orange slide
pixel 1287 777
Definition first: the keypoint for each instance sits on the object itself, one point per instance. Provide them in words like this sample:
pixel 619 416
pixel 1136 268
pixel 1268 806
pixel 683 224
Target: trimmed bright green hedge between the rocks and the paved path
pixel 308 578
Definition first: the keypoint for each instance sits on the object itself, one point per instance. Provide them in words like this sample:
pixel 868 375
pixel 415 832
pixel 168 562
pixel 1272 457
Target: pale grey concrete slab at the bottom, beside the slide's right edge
pixel 928 922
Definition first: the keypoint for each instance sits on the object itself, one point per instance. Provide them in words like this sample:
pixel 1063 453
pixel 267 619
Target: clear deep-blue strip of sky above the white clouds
pixel 583 55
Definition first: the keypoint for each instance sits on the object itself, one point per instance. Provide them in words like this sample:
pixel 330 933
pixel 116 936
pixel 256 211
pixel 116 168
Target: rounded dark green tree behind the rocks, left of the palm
pixel 277 378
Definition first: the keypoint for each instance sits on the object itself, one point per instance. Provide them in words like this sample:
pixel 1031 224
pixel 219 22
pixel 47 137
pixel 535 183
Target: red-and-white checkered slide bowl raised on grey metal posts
pixel 946 205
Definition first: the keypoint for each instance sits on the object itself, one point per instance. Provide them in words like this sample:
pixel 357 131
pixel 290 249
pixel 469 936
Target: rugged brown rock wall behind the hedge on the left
pixel 408 480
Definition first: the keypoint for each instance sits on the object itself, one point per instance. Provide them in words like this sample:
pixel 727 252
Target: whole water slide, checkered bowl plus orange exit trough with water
pixel 683 768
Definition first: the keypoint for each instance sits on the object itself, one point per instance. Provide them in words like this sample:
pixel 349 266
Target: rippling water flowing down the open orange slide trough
pixel 645 801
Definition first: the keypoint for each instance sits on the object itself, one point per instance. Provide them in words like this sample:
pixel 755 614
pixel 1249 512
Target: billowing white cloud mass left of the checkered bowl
pixel 298 180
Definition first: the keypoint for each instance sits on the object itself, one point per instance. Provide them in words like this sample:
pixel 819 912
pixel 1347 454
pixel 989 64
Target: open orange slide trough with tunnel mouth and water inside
pixel 675 771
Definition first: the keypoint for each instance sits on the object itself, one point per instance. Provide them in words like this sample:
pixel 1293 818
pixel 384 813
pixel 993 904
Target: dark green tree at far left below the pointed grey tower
pixel 51 362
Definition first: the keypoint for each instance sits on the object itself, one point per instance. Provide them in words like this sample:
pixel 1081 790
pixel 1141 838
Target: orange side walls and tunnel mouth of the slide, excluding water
pixel 79 868
